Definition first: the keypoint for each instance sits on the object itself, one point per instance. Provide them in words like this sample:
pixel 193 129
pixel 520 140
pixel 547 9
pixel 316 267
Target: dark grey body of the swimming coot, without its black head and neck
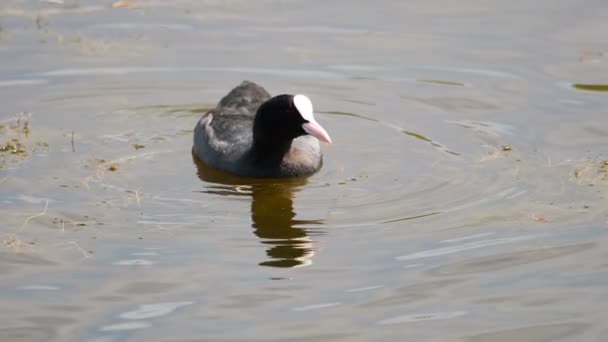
pixel 224 139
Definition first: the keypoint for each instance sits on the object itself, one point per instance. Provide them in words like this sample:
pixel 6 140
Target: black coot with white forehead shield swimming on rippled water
pixel 251 134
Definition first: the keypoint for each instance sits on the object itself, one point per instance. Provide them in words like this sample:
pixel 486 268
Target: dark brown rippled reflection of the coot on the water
pixel 272 213
